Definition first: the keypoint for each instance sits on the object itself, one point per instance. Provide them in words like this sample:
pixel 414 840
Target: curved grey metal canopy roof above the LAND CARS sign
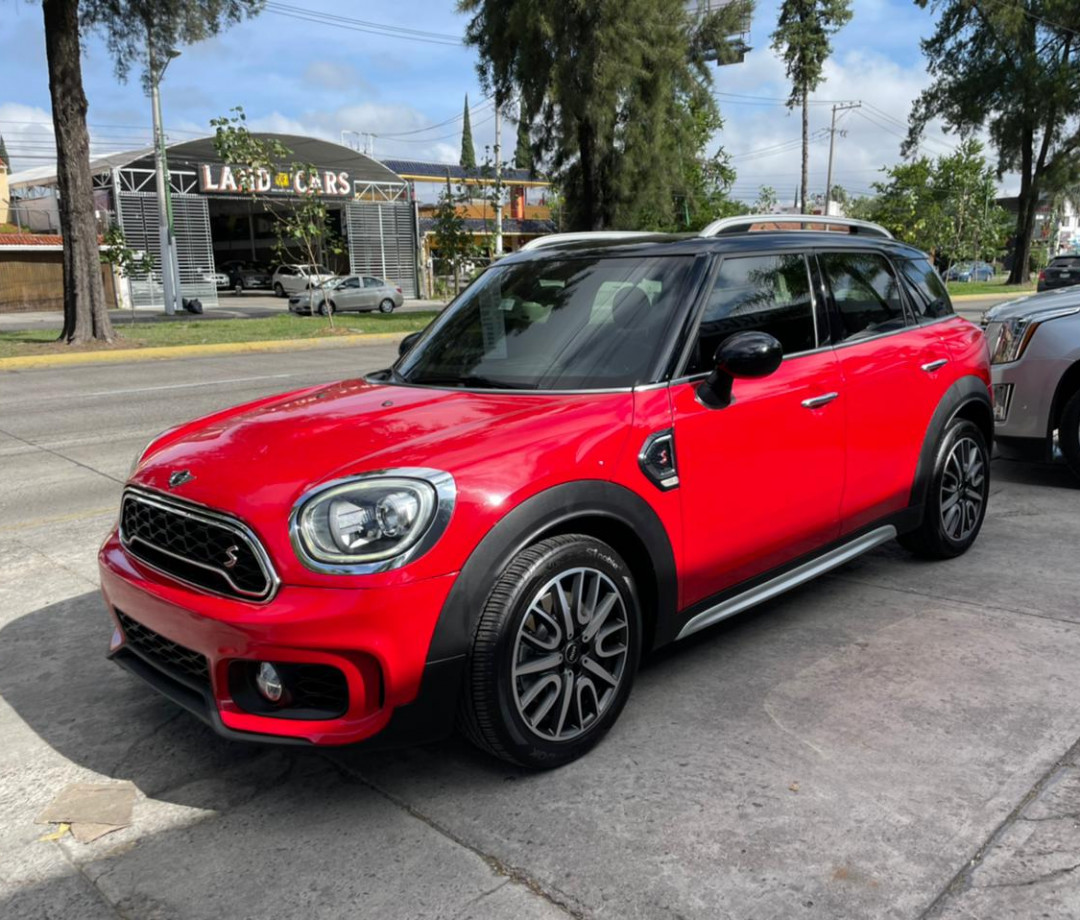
pixel 326 155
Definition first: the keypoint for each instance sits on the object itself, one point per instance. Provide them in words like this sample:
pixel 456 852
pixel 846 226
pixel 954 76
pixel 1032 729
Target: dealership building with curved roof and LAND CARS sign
pixel 215 221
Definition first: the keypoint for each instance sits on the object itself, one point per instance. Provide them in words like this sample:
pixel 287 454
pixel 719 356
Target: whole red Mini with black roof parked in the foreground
pixel 607 443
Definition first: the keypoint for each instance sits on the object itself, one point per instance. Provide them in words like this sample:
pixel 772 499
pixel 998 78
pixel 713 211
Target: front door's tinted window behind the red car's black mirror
pixel 766 294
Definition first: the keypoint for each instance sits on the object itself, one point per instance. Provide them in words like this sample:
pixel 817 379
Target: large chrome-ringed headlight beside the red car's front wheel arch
pixel 372 523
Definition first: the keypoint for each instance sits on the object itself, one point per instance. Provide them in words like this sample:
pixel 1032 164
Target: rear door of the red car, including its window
pixel 893 371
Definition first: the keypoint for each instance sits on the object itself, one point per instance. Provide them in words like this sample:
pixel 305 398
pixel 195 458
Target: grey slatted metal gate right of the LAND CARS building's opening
pixel 383 242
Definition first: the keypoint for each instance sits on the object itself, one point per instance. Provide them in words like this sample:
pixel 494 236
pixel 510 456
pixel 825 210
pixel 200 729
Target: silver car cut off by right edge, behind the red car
pixel 1035 353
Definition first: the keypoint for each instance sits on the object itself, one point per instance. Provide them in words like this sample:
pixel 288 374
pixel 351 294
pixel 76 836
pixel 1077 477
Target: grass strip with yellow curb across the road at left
pixel 193 331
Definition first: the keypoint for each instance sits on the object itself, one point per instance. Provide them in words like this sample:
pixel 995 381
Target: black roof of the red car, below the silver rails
pixel 757 241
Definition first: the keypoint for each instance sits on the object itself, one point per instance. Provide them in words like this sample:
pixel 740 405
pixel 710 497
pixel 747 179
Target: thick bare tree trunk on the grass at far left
pixel 86 316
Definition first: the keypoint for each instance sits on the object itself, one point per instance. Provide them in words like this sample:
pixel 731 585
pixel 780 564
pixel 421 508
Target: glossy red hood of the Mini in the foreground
pixel 256 461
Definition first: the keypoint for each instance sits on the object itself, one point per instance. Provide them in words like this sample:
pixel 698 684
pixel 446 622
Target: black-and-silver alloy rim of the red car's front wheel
pixel 571 654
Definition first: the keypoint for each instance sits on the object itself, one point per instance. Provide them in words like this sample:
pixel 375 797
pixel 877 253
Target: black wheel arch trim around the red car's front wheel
pixel 549 510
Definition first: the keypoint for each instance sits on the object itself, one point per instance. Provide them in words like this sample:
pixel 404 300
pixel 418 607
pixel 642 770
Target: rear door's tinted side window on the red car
pixel 867 294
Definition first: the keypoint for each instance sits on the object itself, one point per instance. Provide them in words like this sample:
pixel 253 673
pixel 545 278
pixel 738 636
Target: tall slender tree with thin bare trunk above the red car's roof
pixel 803 39
